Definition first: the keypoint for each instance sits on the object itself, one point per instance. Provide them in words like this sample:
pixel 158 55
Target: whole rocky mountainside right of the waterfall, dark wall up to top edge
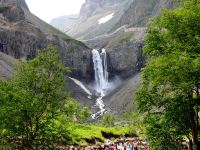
pixel 126 51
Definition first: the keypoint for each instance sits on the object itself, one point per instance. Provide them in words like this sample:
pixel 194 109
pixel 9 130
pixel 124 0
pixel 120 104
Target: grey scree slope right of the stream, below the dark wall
pixel 120 100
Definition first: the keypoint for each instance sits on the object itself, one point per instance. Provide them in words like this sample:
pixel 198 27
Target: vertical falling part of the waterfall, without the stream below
pixel 101 71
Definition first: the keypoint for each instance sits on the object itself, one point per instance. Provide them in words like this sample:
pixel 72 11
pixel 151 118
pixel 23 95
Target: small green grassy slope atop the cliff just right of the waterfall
pixel 120 39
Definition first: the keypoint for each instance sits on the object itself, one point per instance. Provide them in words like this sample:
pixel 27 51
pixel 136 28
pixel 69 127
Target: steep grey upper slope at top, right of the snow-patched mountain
pixel 140 11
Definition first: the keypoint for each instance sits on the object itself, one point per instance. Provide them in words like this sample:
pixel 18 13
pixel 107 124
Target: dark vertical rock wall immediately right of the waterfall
pixel 126 60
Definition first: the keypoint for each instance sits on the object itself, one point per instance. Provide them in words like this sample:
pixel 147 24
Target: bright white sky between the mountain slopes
pixel 50 9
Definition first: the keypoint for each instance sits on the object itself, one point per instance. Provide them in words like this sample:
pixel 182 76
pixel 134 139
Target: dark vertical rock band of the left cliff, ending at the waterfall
pixel 22 45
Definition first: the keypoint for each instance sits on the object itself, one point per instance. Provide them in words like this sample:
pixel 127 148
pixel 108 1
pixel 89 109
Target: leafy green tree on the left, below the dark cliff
pixel 33 98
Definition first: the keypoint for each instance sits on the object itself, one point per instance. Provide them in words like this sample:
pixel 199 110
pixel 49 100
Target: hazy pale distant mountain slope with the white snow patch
pixel 94 18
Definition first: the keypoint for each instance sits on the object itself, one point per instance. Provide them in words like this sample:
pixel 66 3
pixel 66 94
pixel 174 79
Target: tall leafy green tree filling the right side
pixel 169 95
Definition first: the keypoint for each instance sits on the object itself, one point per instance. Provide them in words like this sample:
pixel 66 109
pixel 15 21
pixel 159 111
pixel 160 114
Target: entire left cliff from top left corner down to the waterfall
pixel 22 33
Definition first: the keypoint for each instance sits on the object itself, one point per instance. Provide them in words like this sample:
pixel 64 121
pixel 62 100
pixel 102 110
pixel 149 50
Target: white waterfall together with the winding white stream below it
pixel 101 78
